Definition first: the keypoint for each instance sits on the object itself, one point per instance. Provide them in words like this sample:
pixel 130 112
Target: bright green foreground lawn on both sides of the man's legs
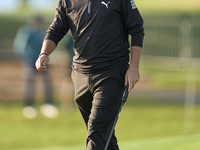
pixel 142 124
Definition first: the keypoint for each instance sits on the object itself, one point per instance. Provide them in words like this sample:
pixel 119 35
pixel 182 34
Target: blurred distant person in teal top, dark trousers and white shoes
pixel 27 46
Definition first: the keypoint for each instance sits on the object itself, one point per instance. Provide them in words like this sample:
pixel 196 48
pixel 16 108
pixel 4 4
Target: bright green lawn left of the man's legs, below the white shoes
pixel 40 132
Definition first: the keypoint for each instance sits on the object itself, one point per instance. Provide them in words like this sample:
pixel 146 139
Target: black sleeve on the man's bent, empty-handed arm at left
pixel 59 27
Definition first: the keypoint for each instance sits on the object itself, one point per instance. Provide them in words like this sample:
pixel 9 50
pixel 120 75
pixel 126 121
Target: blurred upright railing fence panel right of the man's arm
pixel 174 40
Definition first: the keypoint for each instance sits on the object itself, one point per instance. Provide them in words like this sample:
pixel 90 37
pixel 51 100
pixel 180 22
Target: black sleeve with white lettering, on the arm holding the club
pixel 133 22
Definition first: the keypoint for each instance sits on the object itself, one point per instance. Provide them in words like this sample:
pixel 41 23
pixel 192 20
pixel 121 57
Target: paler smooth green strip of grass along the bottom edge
pixel 190 142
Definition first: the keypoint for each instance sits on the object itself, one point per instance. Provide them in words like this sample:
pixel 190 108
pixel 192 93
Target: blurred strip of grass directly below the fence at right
pixel 169 77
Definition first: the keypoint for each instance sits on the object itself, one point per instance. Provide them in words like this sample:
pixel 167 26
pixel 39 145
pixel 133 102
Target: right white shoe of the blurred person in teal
pixel 49 111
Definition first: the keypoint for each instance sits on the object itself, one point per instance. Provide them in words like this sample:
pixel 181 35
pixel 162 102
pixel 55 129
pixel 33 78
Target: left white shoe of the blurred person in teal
pixel 29 112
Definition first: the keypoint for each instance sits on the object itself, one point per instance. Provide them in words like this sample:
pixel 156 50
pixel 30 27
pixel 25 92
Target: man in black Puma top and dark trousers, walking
pixel 100 66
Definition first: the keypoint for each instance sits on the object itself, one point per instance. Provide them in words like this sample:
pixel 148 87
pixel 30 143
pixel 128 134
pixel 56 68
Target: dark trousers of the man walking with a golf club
pixel 98 97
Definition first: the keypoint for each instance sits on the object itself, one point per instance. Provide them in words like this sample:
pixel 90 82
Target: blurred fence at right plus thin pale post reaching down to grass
pixel 175 42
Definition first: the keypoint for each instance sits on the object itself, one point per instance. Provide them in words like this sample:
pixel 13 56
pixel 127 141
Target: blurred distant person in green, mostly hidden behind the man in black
pixel 67 102
